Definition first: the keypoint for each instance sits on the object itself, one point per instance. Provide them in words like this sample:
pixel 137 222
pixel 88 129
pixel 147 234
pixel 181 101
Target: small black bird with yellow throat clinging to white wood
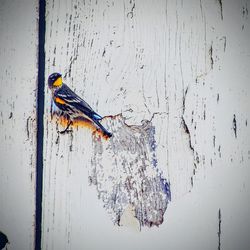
pixel 71 104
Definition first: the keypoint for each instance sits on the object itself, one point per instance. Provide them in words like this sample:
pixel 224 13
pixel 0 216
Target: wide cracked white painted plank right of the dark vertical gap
pixel 182 66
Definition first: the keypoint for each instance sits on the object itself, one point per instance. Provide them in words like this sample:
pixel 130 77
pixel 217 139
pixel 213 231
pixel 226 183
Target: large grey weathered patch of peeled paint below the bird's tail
pixel 130 177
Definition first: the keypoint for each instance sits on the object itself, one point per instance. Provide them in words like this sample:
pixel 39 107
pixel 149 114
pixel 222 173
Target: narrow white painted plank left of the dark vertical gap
pixel 18 83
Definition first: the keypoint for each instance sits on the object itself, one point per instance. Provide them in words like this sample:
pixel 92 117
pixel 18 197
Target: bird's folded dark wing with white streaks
pixel 69 97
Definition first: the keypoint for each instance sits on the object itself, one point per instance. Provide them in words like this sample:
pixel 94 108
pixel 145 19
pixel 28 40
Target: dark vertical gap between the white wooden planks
pixel 40 126
